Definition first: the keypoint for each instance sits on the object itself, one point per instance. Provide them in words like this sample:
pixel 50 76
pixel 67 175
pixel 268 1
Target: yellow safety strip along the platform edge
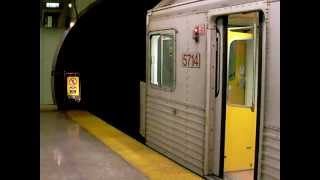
pixel 150 163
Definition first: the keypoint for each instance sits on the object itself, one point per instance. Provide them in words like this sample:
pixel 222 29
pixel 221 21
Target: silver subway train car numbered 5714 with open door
pixel 211 99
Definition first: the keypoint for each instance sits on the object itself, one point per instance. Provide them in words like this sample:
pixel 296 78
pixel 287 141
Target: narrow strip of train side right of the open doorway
pixel 270 165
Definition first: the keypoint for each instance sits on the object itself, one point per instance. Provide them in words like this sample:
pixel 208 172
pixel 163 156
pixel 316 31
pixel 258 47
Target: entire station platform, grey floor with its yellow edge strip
pixel 79 145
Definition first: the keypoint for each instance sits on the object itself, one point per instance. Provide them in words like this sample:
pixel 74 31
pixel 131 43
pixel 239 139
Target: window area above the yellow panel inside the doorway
pixel 242 54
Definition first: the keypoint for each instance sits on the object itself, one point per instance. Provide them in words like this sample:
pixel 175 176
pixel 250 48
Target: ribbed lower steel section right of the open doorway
pixel 270 167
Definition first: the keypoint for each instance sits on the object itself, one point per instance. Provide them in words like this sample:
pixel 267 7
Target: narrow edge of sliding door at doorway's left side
pixel 219 96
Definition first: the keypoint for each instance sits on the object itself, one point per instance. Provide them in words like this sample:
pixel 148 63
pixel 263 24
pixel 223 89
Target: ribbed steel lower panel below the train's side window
pixel 177 131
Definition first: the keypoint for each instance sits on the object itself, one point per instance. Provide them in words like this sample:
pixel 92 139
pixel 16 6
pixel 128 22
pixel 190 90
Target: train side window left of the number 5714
pixel 162 57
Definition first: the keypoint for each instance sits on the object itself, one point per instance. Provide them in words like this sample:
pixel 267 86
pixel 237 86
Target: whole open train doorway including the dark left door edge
pixel 238 57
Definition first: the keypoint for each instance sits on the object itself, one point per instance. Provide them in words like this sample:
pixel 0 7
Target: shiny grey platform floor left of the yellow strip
pixel 67 152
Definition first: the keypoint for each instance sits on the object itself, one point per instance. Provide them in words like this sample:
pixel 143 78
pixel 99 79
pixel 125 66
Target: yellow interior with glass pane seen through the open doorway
pixel 240 132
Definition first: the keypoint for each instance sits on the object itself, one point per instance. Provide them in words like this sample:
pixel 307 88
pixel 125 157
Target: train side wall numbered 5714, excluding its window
pixel 175 120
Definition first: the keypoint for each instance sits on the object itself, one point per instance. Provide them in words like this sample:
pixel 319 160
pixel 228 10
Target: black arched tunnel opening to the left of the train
pixel 108 50
